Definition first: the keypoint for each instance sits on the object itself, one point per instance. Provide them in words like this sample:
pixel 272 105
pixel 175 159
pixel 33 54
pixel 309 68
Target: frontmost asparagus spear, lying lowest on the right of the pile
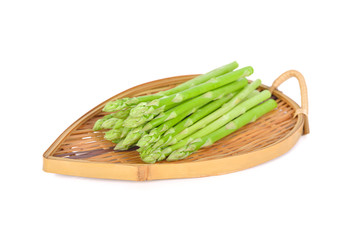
pixel 207 140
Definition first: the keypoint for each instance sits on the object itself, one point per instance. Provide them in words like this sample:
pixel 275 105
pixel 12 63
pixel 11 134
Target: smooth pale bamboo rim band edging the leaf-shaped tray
pixel 143 171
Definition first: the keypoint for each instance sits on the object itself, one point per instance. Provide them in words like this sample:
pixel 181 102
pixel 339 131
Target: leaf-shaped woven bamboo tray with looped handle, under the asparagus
pixel 79 151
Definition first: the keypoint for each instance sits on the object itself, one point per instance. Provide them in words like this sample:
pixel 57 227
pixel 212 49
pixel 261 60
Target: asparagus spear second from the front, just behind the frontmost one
pixel 241 108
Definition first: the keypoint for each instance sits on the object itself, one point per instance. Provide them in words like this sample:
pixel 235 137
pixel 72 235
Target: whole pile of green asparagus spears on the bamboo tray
pixel 174 123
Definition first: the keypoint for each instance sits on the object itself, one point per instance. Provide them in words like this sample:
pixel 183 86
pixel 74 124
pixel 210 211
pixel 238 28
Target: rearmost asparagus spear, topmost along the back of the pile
pixel 124 102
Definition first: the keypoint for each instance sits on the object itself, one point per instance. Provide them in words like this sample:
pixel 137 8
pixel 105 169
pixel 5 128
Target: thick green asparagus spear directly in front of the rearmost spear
pixel 179 97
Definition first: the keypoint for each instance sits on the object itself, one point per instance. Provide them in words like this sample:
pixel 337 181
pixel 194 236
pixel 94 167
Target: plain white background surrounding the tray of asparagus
pixel 58 59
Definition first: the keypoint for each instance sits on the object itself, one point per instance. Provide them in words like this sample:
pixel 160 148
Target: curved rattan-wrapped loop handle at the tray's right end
pixel 303 93
